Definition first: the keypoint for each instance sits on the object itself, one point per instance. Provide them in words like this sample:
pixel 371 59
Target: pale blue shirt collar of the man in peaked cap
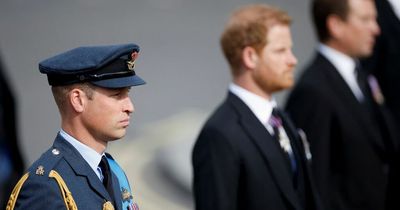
pixel 91 156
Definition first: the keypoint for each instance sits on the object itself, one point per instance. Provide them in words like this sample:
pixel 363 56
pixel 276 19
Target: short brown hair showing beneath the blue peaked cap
pixel 60 93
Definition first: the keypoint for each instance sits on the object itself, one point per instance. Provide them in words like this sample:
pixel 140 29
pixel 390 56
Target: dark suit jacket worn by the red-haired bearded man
pixel 238 165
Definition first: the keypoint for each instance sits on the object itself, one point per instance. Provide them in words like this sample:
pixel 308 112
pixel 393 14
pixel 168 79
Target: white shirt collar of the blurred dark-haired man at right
pixel 345 65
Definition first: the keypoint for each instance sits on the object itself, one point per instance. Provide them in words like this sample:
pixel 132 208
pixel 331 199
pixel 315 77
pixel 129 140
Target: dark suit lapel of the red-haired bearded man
pixel 268 148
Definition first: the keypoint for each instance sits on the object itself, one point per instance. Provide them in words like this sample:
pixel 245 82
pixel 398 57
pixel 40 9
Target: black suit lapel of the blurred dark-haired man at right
pixel 346 96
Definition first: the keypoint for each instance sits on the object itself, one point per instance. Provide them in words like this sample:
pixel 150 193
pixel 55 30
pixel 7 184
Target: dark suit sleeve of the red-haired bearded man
pixel 216 172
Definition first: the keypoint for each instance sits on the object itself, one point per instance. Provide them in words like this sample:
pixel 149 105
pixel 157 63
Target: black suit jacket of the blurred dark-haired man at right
pixel 351 158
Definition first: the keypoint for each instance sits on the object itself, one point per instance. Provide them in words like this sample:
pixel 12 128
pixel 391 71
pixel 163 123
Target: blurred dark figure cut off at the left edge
pixel 11 162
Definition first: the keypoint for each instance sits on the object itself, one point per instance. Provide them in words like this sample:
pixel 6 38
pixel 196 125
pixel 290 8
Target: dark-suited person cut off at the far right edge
pixel 384 62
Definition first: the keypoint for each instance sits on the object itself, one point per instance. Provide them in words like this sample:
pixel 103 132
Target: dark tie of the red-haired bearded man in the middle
pixel 281 136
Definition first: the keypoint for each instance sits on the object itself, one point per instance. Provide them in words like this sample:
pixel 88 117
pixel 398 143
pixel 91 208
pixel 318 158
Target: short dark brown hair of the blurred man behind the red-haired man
pixel 322 9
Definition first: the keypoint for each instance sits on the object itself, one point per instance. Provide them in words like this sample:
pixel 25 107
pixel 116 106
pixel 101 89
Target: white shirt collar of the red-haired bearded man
pixel 261 107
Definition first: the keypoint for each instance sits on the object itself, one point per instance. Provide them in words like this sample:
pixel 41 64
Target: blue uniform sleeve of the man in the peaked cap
pixel 38 193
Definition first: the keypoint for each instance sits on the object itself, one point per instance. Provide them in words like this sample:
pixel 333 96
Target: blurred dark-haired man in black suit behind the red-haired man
pixel 341 110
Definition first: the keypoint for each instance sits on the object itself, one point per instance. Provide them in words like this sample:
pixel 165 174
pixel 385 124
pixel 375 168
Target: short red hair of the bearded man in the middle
pixel 248 26
